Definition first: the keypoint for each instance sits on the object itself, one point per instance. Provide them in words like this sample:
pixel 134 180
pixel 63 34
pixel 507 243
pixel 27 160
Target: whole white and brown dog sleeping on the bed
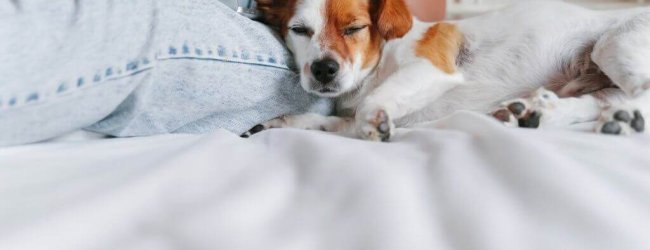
pixel 536 64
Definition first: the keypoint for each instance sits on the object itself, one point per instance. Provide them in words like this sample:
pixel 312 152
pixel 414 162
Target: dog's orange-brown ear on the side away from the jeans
pixel 392 18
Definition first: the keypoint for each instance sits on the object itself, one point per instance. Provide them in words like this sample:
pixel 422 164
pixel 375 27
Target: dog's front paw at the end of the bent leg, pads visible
pixel 376 126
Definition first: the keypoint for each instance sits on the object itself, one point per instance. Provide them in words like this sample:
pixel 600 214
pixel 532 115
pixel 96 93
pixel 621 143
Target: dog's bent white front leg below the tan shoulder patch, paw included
pixel 408 90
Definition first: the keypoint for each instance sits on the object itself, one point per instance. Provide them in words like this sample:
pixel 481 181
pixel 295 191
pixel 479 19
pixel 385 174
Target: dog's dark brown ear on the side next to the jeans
pixel 275 13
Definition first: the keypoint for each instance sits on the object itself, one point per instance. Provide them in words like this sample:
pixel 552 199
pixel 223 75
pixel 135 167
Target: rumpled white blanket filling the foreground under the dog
pixel 471 185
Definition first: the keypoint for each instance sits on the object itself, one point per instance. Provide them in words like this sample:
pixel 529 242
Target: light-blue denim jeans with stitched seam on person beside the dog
pixel 130 68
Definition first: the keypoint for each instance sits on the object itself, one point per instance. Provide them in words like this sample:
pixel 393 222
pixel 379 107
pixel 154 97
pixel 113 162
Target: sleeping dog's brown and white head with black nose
pixel 336 43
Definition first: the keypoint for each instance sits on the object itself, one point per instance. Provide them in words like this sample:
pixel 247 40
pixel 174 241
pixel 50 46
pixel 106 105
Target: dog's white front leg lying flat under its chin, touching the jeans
pixel 309 121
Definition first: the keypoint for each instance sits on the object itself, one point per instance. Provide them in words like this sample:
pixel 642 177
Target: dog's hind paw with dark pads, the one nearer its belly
pixel 527 112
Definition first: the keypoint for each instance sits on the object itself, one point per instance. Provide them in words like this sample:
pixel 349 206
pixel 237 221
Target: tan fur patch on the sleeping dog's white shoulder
pixel 441 45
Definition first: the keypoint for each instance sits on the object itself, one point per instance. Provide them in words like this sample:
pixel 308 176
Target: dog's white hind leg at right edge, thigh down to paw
pixel 622 54
